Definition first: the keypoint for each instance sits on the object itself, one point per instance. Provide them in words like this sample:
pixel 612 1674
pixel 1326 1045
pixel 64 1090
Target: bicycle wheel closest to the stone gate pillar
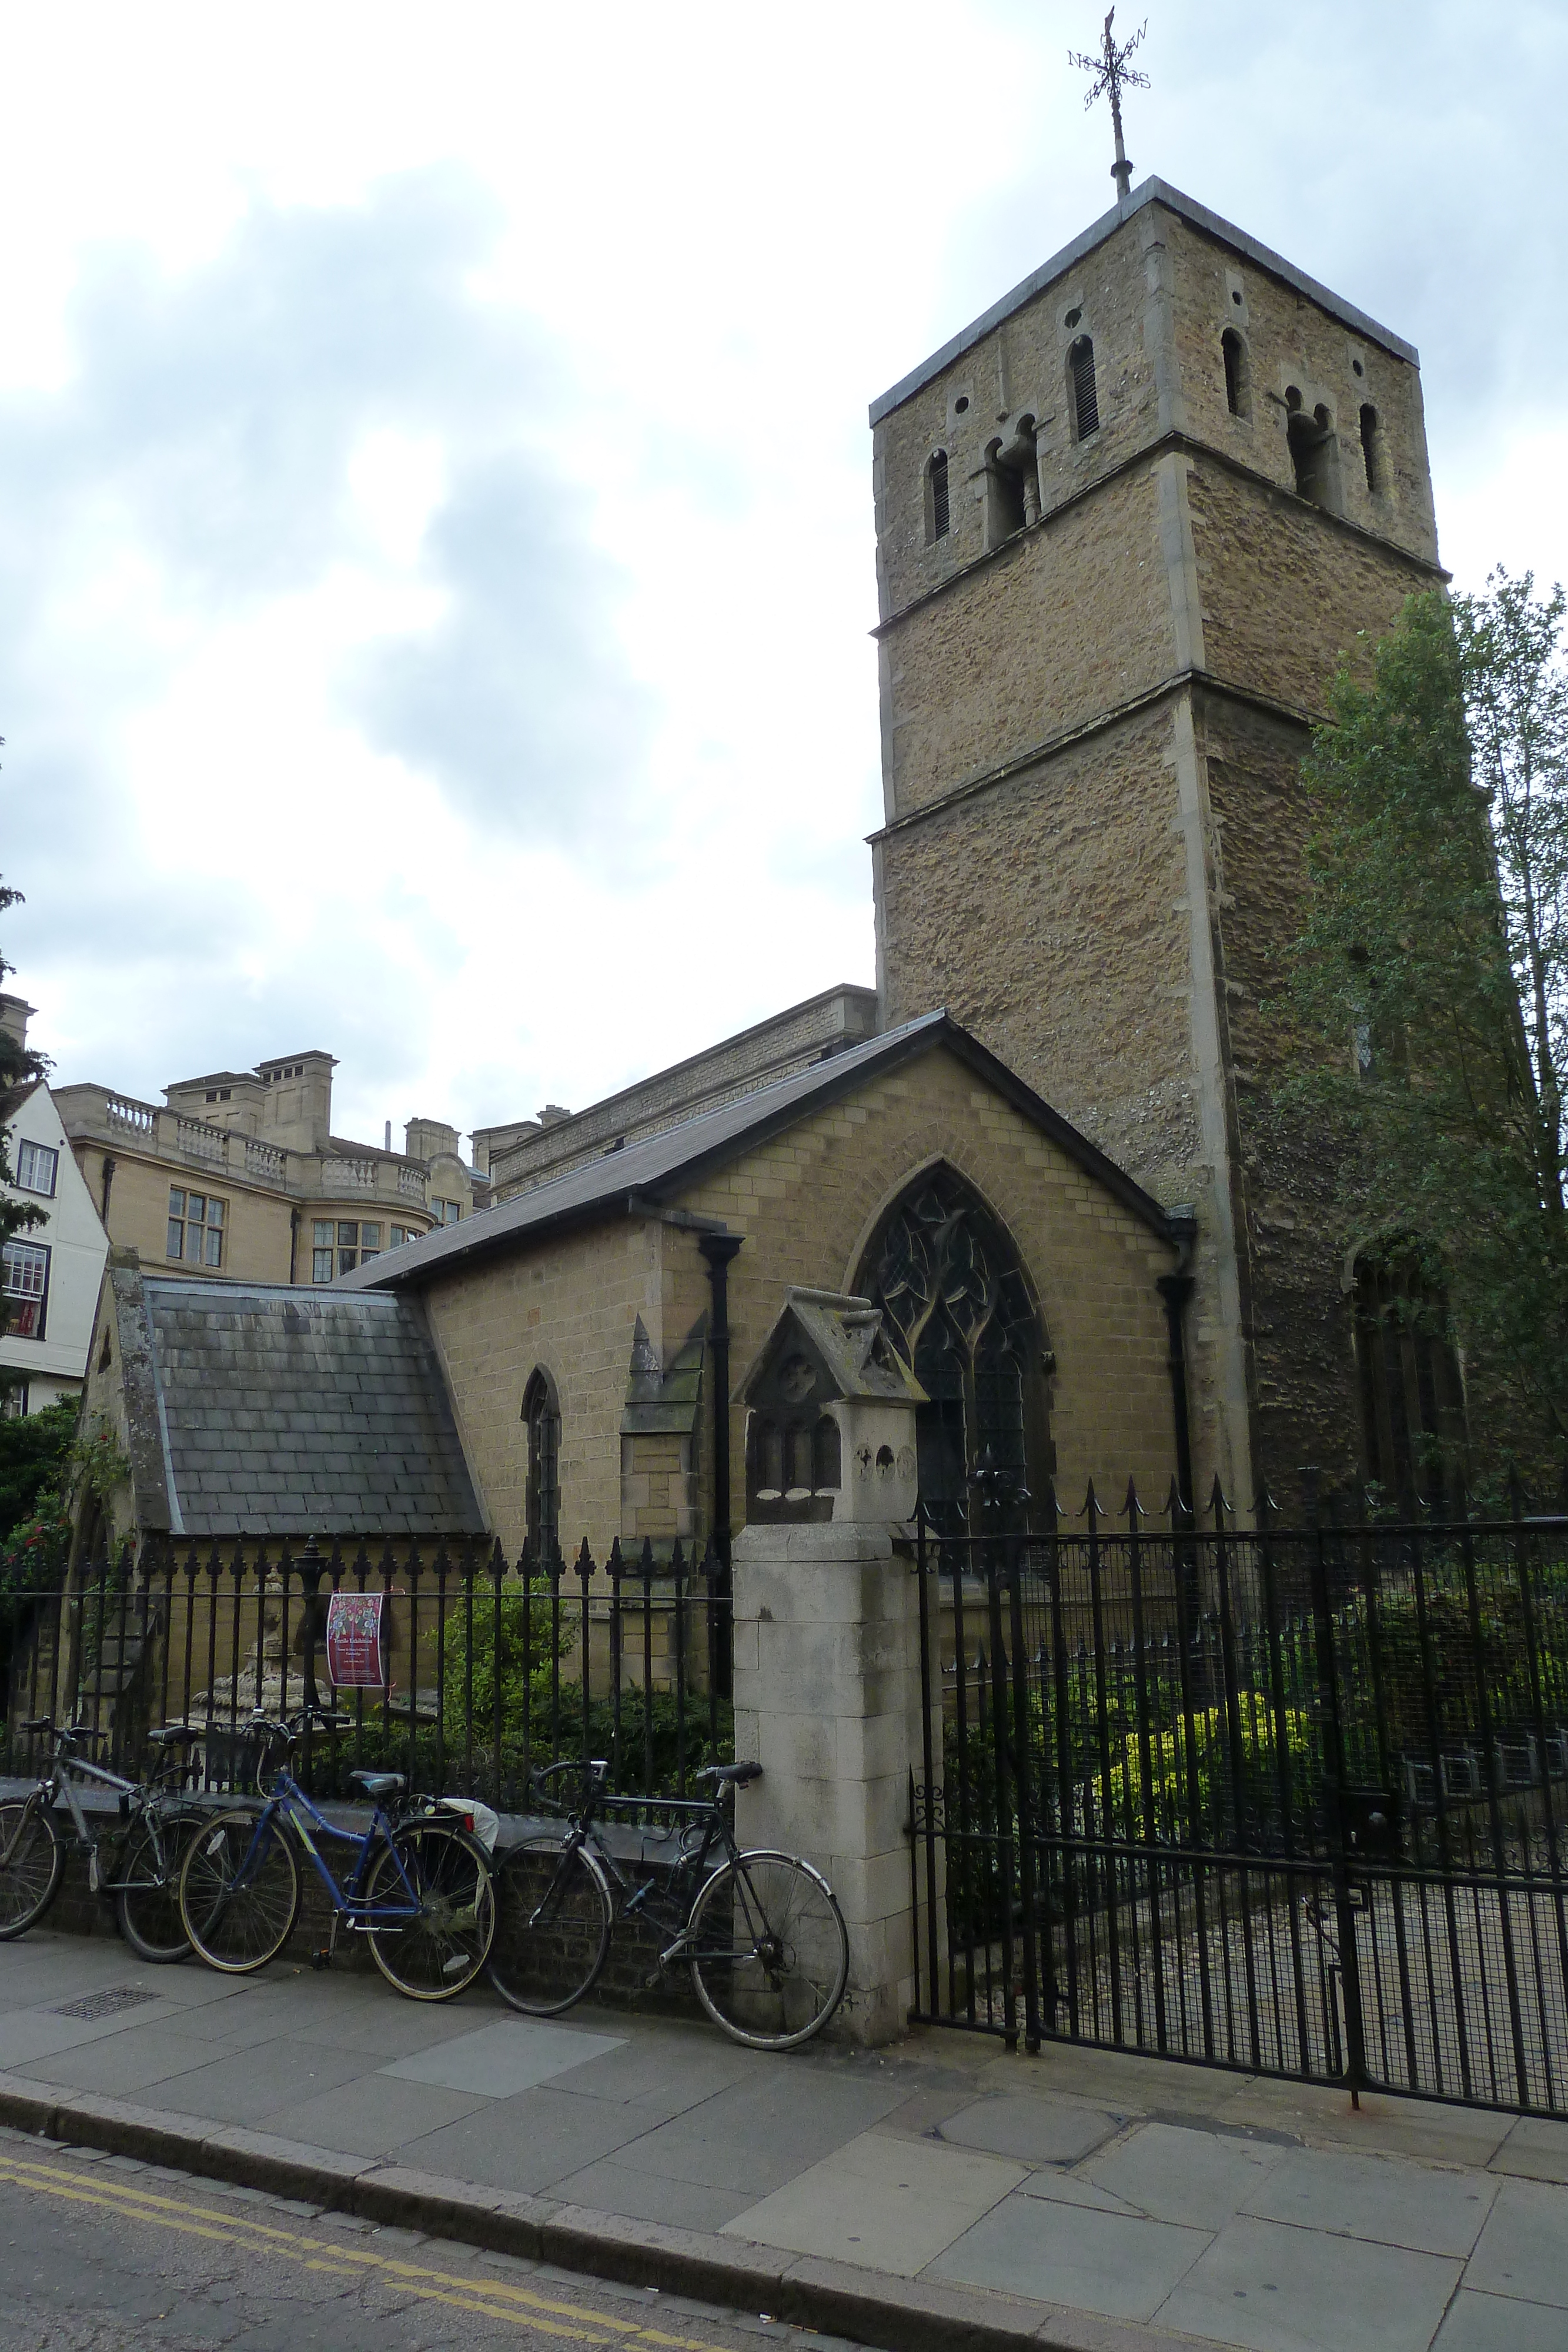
pixel 770 1953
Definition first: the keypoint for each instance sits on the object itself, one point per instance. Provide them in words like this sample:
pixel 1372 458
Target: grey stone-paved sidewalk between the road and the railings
pixel 932 2196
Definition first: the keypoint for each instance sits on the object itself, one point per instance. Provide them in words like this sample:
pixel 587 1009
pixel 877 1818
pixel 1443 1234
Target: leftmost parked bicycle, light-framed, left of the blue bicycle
pixel 135 1859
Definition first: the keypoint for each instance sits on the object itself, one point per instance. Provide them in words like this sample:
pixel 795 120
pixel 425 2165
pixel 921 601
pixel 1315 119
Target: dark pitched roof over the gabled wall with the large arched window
pixel 643 1175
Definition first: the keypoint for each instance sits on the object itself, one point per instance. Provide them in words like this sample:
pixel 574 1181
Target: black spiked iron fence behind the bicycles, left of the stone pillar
pixel 495 1666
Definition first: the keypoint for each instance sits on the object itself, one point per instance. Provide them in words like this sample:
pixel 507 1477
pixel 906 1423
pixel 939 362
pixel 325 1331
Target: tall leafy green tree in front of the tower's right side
pixel 1433 975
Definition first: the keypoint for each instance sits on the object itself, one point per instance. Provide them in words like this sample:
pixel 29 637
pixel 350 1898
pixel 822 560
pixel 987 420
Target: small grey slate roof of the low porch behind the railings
pixel 300 1412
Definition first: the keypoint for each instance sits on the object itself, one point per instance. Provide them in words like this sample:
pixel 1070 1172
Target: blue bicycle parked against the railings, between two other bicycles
pixel 417 1887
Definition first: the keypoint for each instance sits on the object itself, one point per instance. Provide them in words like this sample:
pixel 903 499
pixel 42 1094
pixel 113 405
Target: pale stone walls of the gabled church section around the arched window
pixel 808 1205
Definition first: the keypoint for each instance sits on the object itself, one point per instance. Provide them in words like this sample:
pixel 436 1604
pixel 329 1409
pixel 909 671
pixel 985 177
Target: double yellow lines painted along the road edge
pixel 490 2299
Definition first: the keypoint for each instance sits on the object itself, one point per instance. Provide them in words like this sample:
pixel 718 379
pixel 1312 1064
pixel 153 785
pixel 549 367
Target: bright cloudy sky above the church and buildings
pixel 436 552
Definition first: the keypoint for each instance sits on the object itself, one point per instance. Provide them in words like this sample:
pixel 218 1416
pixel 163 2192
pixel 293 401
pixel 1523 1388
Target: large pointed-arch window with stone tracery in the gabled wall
pixel 956 1302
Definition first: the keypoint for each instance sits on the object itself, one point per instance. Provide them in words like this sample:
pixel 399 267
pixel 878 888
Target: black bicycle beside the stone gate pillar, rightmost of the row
pixel 760 1932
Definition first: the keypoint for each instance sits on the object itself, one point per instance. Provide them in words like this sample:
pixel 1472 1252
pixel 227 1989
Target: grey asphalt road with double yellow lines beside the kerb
pixel 100 2254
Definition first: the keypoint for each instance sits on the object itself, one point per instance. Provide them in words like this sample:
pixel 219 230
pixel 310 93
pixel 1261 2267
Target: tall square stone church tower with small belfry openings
pixel 1127 526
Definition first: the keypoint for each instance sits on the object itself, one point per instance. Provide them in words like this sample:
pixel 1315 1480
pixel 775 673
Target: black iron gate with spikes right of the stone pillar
pixel 1287 1800
